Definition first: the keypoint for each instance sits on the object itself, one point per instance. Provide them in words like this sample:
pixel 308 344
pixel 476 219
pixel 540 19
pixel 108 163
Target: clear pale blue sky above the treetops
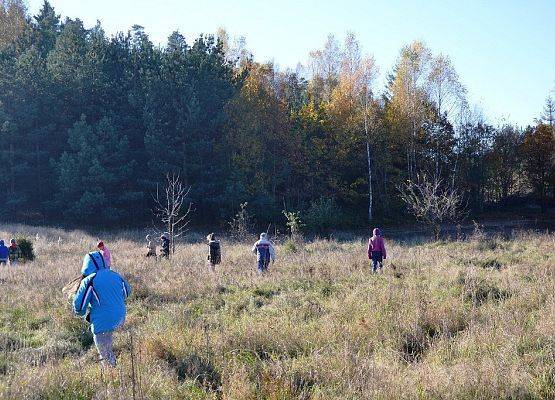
pixel 503 50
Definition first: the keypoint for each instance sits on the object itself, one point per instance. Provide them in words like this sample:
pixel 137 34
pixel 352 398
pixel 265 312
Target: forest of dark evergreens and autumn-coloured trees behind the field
pixel 90 125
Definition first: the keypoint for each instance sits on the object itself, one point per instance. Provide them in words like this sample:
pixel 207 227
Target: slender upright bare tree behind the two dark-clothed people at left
pixel 168 208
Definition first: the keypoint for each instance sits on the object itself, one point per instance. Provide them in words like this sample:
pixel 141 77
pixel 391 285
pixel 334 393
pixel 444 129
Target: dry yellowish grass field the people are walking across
pixel 472 319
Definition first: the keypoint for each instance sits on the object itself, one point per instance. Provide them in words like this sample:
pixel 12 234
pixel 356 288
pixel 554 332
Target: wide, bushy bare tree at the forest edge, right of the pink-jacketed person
pixel 431 202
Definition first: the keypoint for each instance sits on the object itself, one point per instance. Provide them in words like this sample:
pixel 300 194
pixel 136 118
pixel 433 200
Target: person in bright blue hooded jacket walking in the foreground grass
pixel 102 292
